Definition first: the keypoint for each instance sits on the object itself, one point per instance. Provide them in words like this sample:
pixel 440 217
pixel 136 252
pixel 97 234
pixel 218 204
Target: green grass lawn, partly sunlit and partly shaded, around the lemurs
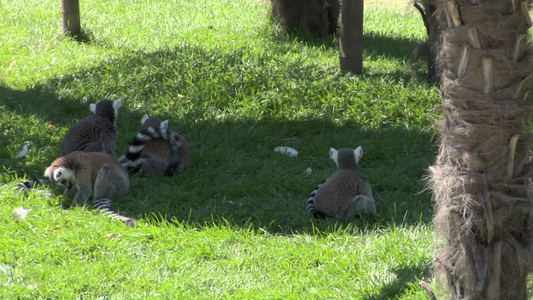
pixel 234 225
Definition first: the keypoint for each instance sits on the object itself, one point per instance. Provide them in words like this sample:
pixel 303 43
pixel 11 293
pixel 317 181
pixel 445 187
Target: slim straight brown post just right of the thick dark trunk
pixel 351 37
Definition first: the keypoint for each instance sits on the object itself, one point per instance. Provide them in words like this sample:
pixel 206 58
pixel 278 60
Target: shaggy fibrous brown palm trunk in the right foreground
pixel 482 176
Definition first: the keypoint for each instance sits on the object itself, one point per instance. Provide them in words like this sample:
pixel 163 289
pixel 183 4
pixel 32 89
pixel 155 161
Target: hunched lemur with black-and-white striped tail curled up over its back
pixel 156 150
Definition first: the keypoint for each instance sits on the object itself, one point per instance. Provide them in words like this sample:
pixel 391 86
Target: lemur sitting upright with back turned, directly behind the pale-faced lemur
pixel 95 133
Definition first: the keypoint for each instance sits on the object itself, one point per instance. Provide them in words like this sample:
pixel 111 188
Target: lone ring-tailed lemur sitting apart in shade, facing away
pixel 346 192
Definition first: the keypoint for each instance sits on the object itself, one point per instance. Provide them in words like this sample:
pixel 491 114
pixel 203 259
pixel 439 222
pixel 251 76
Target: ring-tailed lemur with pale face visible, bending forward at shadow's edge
pixel 96 175
